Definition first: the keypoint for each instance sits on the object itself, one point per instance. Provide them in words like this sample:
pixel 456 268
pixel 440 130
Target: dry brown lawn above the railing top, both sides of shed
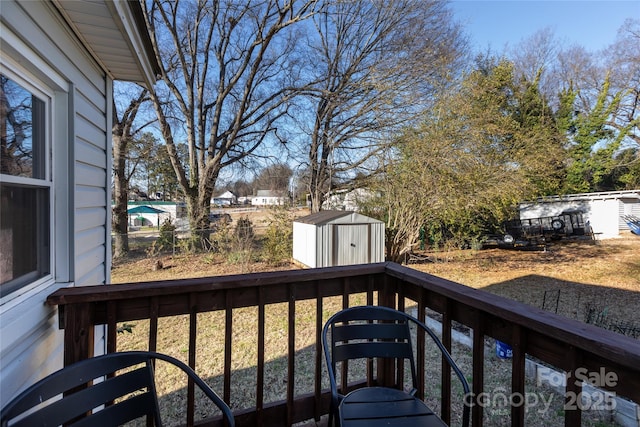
pixel 569 277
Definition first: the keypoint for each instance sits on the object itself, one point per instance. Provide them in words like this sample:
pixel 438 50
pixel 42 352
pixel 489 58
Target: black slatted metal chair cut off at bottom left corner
pixel 70 396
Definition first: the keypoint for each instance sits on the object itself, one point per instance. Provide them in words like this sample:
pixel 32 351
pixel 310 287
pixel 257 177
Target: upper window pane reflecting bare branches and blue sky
pixel 22 148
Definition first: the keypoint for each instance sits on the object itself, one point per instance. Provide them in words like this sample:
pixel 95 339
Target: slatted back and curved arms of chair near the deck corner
pixel 376 332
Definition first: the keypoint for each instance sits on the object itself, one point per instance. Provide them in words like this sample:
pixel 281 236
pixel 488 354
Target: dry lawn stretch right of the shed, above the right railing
pixel 569 277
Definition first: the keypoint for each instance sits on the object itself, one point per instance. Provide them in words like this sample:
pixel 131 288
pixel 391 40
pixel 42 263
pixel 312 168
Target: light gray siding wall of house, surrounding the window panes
pixel 35 40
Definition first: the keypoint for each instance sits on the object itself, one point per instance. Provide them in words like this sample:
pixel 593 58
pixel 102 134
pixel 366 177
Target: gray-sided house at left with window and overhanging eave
pixel 58 62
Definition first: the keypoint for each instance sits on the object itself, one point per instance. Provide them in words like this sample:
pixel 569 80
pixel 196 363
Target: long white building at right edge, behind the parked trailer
pixel 603 211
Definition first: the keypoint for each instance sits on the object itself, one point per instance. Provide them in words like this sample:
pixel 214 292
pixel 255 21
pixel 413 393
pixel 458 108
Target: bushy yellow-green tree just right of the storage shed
pixel 481 149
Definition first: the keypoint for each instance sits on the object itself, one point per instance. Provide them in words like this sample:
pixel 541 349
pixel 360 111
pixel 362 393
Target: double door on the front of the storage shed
pixel 351 244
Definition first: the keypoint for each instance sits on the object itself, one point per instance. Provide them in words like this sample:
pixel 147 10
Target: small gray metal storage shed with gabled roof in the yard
pixel 332 238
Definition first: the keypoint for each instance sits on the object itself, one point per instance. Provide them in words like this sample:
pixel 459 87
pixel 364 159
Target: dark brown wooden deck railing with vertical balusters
pixel 563 343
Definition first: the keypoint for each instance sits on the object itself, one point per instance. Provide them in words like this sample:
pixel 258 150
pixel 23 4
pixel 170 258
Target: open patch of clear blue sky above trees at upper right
pixel 591 24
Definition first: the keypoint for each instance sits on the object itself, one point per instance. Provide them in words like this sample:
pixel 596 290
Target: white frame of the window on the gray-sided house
pixel 31 76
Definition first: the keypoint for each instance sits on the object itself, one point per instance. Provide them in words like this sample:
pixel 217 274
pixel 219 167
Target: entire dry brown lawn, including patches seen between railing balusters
pixel 569 277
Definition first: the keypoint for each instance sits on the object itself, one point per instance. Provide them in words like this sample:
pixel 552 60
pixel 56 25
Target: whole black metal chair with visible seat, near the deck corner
pixel 374 332
